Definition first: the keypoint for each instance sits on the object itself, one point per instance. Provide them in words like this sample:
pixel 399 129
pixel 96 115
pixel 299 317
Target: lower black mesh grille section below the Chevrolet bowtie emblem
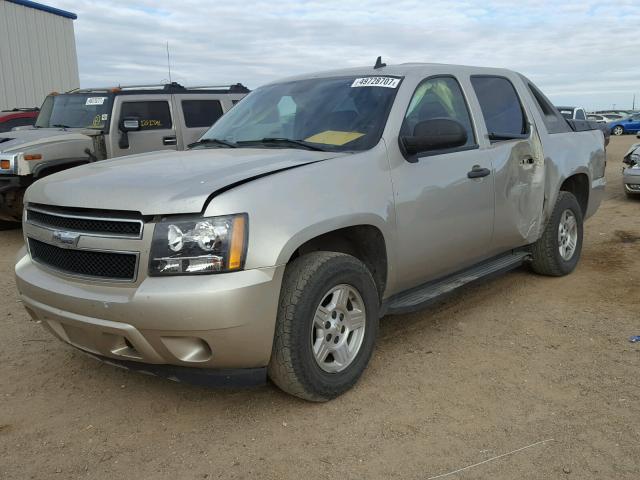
pixel 88 263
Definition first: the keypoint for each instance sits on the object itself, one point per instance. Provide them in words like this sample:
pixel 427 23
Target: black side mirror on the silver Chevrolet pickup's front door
pixel 434 134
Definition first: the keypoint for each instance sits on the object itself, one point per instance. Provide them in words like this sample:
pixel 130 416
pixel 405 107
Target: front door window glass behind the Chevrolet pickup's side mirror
pixel 438 97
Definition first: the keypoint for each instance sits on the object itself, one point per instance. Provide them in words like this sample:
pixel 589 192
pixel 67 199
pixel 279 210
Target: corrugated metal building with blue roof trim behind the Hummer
pixel 37 53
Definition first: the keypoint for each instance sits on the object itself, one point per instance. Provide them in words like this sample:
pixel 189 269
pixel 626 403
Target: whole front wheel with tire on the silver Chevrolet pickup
pixel 326 327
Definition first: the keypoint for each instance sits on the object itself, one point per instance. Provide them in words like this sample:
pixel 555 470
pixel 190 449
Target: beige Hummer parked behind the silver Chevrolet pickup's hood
pixel 86 125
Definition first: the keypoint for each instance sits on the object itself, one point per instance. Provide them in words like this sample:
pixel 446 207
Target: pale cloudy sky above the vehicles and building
pixel 578 52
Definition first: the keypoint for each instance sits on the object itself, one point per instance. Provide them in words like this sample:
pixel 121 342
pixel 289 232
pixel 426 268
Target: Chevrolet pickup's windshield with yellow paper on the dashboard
pixel 338 114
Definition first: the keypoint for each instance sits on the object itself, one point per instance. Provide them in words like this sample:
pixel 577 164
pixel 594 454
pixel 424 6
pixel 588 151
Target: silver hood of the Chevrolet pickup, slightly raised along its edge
pixel 163 183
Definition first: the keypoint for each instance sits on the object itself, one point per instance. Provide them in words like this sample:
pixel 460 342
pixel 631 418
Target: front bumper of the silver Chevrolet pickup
pixel 223 321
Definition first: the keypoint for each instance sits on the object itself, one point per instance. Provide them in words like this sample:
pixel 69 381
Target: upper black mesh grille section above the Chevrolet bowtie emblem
pixel 97 226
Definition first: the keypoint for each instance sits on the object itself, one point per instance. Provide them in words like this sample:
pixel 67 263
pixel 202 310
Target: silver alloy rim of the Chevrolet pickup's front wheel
pixel 338 328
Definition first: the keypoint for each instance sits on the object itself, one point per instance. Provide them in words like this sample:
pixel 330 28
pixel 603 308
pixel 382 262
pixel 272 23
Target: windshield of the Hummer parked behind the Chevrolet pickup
pixel 75 110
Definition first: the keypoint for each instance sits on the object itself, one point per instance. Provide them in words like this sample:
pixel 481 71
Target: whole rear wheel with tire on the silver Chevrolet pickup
pixel 557 252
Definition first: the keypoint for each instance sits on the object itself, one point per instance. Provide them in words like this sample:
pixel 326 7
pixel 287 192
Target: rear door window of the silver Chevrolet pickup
pixel 501 107
